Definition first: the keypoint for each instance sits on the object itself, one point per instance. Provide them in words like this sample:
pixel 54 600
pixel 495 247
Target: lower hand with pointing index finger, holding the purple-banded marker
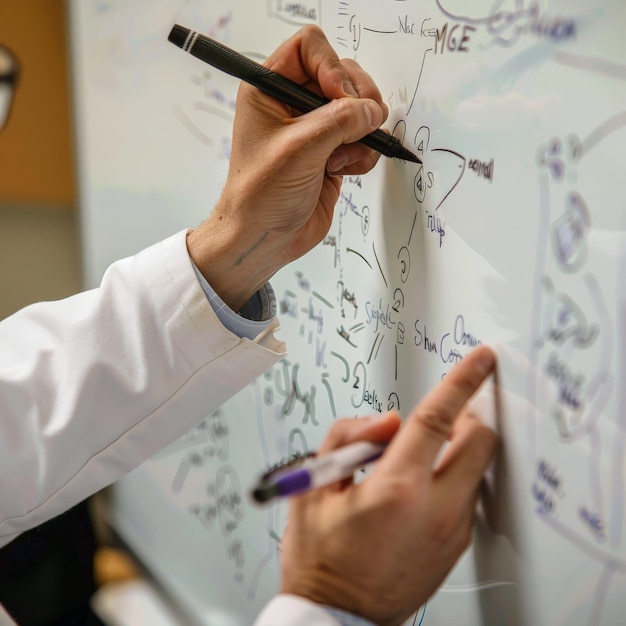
pixel 381 548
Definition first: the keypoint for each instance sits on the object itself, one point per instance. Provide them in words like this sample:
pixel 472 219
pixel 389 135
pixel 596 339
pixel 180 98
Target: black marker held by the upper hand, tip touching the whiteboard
pixel 275 85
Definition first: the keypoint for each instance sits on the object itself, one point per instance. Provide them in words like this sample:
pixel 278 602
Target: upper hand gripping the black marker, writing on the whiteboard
pixel 280 192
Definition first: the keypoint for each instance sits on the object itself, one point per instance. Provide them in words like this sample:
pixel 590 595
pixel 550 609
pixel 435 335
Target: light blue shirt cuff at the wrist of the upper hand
pixel 253 318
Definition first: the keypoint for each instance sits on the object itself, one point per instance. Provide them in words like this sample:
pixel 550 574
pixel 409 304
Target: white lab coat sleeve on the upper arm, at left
pixel 93 385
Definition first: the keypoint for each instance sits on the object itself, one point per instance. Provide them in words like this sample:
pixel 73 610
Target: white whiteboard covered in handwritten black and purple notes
pixel 511 233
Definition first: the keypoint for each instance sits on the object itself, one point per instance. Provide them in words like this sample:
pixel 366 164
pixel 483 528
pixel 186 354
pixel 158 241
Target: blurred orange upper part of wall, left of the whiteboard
pixel 36 151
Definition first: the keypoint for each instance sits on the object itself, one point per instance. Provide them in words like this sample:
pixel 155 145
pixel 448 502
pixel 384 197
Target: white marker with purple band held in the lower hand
pixel 318 471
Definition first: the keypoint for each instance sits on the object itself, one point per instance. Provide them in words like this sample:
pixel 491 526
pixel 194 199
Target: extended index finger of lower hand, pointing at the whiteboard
pixel 430 424
